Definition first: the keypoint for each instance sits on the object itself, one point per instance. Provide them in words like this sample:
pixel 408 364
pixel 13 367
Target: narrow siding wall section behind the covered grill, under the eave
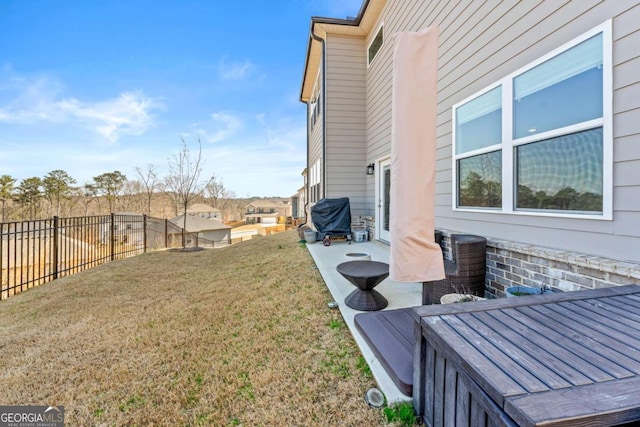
pixel 345 114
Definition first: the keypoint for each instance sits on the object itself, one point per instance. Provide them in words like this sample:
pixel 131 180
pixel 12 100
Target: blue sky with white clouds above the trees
pixel 93 86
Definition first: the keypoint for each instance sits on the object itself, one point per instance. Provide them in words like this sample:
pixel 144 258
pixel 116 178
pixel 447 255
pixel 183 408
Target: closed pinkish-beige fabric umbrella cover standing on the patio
pixel 415 257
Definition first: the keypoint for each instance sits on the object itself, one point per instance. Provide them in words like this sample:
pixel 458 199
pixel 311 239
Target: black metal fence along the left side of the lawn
pixel 39 251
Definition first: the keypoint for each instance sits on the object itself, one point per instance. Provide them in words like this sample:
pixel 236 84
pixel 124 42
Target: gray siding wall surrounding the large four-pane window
pixel 480 43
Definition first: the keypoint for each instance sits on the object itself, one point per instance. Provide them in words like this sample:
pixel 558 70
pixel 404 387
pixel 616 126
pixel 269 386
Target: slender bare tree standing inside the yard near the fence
pixel 184 178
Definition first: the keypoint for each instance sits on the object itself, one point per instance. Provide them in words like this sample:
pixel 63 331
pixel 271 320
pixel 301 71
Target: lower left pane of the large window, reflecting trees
pixel 480 181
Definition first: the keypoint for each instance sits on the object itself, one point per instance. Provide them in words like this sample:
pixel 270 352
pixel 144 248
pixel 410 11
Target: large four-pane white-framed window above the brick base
pixel 539 141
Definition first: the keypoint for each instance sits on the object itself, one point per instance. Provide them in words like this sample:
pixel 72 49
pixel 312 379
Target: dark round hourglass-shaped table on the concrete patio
pixel 365 275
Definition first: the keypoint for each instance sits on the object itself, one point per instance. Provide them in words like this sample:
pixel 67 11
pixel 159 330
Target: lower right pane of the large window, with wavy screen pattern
pixel 563 173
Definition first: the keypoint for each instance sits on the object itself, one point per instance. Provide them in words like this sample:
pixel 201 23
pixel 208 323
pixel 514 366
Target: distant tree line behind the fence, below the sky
pixel 58 193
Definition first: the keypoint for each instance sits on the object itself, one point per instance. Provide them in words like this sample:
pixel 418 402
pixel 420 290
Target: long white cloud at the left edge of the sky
pixel 29 101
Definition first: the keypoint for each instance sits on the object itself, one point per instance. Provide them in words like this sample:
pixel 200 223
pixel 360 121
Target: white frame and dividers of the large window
pixel 508 142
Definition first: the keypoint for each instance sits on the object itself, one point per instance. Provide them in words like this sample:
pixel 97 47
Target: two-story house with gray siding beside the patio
pixel 537 139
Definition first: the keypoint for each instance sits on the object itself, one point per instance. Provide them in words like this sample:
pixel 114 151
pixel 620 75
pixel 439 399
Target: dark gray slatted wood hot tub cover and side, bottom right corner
pixel 564 359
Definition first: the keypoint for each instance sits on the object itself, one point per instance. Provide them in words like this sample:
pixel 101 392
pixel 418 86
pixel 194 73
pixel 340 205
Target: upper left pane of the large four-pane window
pixel 479 122
